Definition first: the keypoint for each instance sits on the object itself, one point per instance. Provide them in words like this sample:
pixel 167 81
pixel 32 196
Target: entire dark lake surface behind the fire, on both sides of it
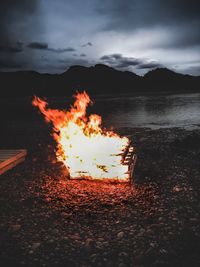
pixel 153 111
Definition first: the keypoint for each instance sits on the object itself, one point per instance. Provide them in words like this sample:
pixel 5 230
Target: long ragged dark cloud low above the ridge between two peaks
pixel 122 62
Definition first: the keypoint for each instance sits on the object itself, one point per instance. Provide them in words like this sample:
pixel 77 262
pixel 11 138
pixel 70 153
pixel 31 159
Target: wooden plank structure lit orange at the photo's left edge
pixel 9 158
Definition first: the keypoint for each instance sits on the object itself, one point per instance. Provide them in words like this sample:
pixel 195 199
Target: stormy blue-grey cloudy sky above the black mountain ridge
pixel 136 35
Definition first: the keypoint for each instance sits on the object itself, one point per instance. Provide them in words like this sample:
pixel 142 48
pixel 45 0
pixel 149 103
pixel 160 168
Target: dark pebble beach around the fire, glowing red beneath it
pixel 48 220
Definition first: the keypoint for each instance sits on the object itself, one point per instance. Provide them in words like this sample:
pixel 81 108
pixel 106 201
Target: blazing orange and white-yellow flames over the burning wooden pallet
pixel 86 149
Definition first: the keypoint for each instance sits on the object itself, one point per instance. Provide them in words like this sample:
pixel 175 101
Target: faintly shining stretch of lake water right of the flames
pixel 151 111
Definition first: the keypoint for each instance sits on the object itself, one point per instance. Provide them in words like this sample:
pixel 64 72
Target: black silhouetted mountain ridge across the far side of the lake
pixel 98 79
